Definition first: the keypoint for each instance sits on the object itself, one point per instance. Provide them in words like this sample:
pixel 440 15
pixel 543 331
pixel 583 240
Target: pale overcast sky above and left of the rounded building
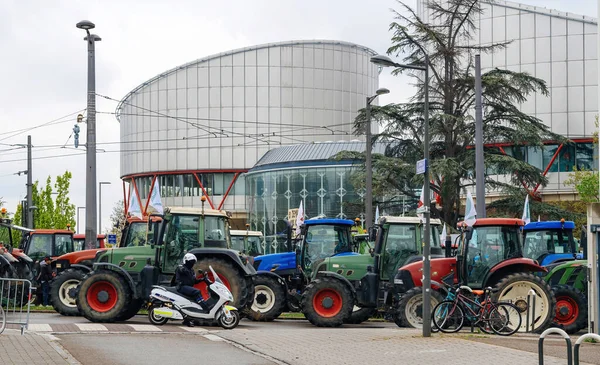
pixel 44 65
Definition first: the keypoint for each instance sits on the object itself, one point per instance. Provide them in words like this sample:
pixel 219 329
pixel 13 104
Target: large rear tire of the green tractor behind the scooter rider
pixel 239 286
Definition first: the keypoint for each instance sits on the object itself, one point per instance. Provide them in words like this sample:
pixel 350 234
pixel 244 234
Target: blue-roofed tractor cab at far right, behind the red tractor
pixel 550 242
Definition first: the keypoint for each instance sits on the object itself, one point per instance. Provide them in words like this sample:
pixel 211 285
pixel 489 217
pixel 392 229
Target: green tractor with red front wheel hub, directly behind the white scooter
pixel 120 283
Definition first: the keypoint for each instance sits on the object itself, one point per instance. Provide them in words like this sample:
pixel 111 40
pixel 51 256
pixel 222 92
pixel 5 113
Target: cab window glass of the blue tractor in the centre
pixel 325 240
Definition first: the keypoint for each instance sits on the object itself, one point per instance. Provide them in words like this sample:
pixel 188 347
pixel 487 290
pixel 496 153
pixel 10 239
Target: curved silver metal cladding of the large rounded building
pixel 226 110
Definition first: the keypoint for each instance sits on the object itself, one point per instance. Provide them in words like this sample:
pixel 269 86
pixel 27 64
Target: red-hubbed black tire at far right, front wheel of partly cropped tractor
pixel 571 308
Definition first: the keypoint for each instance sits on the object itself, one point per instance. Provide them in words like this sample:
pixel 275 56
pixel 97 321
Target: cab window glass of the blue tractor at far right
pixel 539 244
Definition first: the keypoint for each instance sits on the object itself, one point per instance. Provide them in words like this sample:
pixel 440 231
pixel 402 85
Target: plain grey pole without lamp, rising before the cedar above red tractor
pixel 479 162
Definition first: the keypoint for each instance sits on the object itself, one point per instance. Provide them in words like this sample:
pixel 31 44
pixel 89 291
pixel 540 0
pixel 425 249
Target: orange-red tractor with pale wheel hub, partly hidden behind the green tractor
pixel 72 267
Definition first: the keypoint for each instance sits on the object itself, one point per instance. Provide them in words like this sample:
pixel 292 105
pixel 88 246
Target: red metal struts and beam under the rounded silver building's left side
pixel 195 173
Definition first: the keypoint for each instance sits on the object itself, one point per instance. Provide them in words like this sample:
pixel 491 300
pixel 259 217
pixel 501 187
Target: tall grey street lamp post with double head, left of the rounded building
pixel 90 178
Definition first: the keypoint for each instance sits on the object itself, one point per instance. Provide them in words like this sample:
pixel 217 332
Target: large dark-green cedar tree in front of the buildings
pixel 451 103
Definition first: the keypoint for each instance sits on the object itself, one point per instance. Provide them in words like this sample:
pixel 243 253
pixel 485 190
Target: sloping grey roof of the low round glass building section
pixel 311 152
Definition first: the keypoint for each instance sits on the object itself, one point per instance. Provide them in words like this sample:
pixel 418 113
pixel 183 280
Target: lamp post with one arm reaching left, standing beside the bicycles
pixel 385 61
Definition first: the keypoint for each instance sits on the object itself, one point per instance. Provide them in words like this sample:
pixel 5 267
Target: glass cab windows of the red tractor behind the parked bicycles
pixel 487 246
